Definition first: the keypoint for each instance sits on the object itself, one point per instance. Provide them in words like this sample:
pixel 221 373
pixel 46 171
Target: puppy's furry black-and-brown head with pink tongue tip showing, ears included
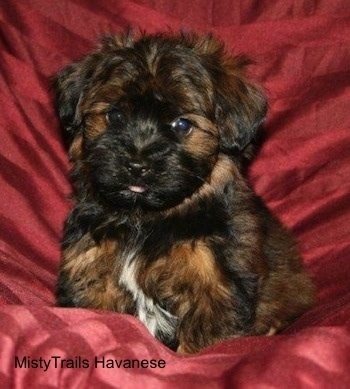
pixel 148 117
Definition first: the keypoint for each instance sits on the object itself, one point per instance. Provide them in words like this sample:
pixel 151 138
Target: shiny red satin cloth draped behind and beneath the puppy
pixel 302 55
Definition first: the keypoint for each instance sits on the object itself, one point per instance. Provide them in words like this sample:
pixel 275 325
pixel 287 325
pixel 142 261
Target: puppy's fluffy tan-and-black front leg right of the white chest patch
pixel 190 284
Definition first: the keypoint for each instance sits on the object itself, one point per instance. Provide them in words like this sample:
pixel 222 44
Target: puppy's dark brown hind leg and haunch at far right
pixel 287 290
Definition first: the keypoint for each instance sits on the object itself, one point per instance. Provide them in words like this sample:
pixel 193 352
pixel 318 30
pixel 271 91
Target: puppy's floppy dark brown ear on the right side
pixel 240 106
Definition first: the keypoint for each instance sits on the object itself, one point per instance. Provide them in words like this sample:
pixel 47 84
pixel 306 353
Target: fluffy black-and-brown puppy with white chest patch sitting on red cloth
pixel 164 226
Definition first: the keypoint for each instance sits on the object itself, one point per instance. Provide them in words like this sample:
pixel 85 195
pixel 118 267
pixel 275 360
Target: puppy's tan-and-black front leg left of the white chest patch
pixel 88 277
